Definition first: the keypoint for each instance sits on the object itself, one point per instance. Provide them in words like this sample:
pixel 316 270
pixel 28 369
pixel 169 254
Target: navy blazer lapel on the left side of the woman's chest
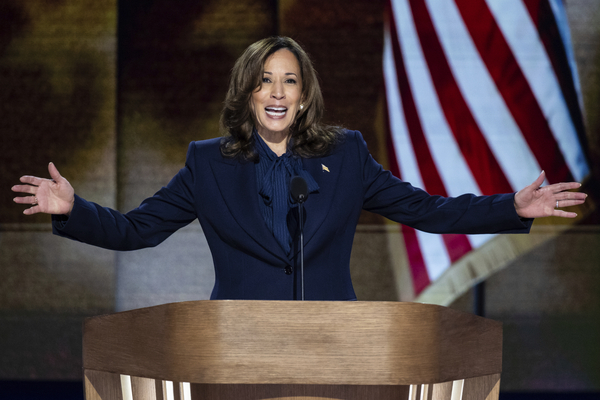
pixel 237 184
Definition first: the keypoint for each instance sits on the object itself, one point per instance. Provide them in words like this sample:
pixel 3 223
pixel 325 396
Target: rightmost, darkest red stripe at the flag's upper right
pixel 547 27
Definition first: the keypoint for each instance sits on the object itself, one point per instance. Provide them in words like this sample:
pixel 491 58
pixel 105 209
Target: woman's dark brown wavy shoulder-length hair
pixel 309 137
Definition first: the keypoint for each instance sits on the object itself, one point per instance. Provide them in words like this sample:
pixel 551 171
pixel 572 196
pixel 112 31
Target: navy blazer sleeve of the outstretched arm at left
pixel 157 217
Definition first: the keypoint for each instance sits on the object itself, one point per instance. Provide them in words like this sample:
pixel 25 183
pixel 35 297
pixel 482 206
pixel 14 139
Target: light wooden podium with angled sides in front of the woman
pixel 223 349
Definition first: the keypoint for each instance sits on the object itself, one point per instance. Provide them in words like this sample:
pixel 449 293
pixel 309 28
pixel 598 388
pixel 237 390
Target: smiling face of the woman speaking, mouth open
pixel 277 101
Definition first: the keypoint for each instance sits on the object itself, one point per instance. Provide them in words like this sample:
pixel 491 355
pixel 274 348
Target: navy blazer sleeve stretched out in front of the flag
pixel 399 201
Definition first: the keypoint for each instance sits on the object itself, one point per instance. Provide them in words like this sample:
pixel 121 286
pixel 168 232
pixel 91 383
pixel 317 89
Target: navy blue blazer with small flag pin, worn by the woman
pixel 249 262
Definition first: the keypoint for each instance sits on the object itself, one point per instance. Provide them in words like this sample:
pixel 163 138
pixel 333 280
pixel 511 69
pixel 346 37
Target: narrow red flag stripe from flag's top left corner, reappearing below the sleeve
pixel 456 245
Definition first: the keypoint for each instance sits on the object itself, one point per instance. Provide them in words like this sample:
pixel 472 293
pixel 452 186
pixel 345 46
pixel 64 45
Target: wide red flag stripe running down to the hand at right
pixel 514 88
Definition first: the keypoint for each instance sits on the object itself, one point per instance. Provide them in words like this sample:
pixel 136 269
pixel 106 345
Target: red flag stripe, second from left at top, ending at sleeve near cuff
pixel 482 162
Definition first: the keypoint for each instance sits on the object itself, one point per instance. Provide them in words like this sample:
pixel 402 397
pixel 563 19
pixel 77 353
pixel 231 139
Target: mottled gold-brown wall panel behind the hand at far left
pixel 57 103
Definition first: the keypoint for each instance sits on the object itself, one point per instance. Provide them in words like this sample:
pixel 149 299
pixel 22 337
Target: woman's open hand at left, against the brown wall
pixel 50 196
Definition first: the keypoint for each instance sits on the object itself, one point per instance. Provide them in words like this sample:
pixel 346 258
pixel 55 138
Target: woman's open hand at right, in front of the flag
pixel 534 201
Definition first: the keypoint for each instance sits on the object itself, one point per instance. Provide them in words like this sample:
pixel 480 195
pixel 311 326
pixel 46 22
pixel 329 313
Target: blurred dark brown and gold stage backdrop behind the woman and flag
pixel 113 92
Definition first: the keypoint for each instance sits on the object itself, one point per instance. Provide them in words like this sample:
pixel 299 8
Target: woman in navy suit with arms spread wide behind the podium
pixel 237 187
